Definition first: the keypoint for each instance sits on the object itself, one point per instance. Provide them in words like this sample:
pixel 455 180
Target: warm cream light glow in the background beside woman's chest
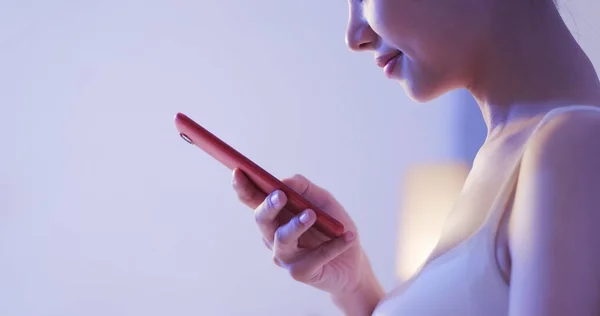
pixel 429 192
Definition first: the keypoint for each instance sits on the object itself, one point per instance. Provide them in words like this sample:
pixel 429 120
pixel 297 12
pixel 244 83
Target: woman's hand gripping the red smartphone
pixel 337 266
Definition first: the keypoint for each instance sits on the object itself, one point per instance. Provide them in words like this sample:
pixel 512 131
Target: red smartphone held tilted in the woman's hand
pixel 195 134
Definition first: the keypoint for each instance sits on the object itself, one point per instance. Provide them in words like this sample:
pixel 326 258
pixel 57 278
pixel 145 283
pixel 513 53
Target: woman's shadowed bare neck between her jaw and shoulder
pixel 532 64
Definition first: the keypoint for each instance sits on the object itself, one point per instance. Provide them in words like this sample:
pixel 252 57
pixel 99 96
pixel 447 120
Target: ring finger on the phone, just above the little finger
pixel 286 236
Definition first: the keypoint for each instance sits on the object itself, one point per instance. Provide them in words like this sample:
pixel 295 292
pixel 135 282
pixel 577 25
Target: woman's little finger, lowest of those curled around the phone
pixel 313 261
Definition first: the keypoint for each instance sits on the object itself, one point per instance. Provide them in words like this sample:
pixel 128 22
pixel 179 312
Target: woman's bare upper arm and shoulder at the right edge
pixel 554 229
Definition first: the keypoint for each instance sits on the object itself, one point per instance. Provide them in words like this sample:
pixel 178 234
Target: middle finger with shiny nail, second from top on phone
pixel 266 214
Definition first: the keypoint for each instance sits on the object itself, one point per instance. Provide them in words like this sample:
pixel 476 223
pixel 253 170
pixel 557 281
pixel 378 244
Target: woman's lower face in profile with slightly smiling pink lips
pixel 429 46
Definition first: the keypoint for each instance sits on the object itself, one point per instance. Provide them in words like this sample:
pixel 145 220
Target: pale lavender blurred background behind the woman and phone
pixel 104 210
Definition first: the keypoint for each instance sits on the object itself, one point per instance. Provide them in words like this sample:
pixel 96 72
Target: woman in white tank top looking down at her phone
pixel 522 238
